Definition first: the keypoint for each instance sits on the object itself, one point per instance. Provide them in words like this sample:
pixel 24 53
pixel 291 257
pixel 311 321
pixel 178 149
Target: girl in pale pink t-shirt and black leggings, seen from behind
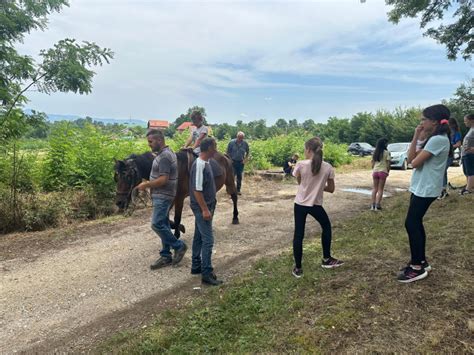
pixel 314 176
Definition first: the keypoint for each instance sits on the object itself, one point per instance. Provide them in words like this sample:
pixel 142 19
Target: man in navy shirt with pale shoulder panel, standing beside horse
pixel 202 193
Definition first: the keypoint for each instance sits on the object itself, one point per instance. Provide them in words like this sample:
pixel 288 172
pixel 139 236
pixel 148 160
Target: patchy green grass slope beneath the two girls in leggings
pixel 359 307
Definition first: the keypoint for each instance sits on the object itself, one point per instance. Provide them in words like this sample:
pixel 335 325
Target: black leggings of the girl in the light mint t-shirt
pixel 414 227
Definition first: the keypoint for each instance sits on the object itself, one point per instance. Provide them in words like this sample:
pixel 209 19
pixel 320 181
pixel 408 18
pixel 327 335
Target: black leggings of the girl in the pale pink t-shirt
pixel 321 216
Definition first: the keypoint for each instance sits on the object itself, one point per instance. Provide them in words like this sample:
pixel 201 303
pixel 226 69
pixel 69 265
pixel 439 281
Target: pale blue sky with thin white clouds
pixel 247 60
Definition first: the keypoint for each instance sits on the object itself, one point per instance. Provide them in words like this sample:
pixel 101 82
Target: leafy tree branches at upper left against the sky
pixel 66 67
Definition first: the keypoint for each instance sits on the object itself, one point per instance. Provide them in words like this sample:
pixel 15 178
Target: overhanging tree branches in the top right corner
pixel 458 36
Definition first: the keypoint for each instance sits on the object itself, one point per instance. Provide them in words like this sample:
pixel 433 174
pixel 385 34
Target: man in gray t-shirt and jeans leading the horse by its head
pixel 163 184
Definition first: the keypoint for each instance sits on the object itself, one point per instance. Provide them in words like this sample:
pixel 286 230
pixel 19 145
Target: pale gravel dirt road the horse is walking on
pixel 68 289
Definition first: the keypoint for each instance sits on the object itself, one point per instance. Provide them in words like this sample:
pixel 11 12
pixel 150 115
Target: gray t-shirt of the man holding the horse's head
pixel 165 163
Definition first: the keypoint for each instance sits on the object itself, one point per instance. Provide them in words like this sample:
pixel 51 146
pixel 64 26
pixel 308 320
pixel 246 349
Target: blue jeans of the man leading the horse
pixel 161 225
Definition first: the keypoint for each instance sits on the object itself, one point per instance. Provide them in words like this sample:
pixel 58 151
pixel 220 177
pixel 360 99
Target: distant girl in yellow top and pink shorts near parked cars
pixel 380 170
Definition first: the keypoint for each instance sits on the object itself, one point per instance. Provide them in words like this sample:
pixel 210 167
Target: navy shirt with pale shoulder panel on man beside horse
pixel 202 179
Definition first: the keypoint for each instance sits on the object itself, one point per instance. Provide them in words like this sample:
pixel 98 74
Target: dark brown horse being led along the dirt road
pixel 130 172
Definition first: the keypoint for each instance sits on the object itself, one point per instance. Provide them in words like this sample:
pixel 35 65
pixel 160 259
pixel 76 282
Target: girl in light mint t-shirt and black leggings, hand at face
pixel 426 184
